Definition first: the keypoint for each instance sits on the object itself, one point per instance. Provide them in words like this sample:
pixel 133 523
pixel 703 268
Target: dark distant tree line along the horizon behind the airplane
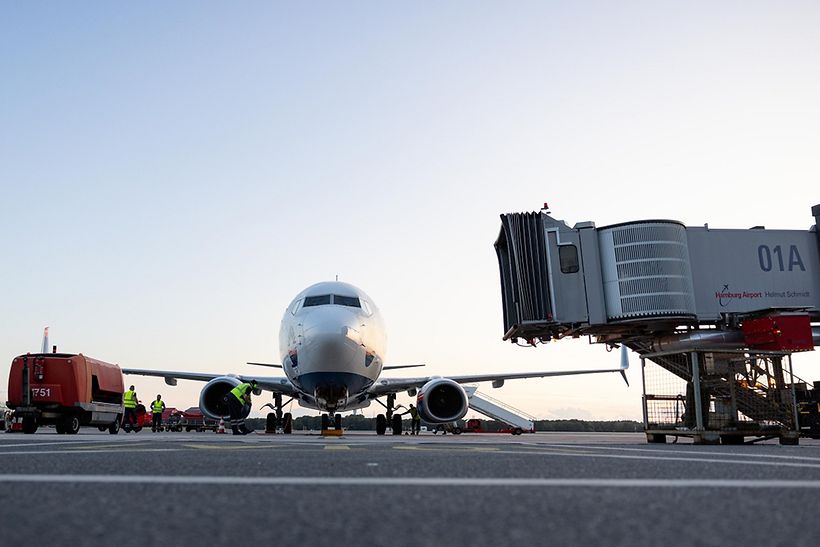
pixel 358 422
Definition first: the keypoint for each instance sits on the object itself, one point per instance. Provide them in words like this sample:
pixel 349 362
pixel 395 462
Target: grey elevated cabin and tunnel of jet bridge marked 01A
pixel 648 276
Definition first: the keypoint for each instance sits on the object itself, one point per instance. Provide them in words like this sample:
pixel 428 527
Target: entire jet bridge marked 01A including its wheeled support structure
pixel 715 314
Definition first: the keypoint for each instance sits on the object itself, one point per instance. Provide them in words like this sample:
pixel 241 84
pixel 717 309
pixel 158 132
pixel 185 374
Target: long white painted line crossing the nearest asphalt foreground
pixel 411 481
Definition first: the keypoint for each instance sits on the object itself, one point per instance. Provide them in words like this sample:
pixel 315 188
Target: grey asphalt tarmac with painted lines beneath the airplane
pixel 473 489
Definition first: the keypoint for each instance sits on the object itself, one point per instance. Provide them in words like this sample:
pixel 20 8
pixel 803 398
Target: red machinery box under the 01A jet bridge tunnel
pixel 779 333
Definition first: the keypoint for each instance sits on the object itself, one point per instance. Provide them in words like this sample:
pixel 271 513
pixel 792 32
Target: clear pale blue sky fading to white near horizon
pixel 171 175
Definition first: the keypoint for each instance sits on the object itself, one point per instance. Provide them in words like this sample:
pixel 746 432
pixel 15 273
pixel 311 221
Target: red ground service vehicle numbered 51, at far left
pixel 66 390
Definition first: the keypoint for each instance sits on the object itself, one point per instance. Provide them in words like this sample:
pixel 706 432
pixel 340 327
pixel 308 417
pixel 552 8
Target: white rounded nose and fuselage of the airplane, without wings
pixel 332 346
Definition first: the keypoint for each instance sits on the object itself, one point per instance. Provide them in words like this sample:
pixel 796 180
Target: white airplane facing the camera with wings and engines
pixel 332 347
